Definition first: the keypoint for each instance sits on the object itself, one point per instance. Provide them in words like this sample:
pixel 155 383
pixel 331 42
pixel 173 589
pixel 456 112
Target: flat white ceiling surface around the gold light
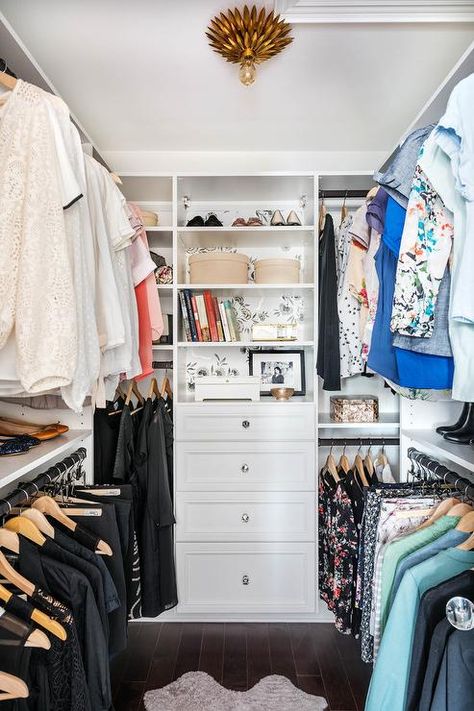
pixel 141 77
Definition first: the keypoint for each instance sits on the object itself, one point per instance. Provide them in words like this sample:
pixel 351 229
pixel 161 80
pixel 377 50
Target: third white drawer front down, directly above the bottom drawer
pixel 245 517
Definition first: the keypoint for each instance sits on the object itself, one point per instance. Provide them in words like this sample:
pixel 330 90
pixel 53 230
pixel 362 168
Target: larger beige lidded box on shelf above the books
pixel 218 268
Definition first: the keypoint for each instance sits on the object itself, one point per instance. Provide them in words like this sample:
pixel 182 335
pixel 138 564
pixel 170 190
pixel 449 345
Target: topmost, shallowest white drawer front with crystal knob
pixel 280 421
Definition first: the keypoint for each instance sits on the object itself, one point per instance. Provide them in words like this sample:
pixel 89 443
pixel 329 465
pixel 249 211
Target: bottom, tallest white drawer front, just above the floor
pixel 231 578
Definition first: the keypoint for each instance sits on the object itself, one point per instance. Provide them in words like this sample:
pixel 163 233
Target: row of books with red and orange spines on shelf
pixel 206 318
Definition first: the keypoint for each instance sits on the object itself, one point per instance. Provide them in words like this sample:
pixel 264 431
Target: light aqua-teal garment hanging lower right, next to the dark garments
pixel 389 683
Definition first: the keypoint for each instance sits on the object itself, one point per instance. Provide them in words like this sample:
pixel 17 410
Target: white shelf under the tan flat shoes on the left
pixel 47 453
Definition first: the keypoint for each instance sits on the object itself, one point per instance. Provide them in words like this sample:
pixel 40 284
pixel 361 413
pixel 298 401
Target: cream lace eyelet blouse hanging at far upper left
pixel 35 259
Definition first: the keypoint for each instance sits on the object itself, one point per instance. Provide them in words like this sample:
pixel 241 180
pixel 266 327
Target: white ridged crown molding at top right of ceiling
pixel 388 11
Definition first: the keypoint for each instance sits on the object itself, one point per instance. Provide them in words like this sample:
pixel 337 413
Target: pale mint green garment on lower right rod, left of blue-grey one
pixel 397 550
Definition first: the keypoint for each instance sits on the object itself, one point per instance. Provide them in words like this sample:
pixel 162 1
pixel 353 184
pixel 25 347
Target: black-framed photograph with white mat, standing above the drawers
pixel 278 369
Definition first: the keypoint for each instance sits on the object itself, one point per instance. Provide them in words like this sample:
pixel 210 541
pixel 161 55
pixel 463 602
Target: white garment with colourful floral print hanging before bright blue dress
pixel 424 253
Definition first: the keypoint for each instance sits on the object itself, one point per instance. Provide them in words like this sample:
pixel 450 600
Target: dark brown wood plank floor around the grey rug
pixel 315 657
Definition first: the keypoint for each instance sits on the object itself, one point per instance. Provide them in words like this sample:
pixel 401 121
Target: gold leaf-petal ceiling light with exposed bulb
pixel 248 37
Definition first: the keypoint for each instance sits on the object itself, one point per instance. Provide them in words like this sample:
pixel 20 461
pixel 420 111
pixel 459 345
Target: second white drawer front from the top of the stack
pixel 236 466
